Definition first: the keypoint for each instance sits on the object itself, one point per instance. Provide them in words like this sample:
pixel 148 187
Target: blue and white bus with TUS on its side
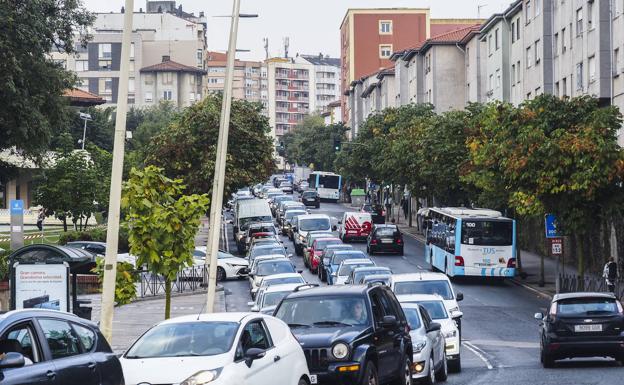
pixel 470 242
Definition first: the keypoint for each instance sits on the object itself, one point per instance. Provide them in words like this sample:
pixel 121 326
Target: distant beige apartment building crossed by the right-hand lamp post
pixel 250 81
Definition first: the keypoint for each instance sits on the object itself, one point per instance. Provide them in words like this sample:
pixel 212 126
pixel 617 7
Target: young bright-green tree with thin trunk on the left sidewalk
pixel 163 223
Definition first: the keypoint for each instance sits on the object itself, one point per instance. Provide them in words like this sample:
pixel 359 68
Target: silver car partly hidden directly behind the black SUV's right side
pixel 429 359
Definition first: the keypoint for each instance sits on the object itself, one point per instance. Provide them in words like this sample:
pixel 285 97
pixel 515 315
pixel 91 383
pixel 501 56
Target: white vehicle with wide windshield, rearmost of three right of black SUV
pixel 430 283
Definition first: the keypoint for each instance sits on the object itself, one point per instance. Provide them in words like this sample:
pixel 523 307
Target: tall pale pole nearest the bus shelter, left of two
pixel 112 233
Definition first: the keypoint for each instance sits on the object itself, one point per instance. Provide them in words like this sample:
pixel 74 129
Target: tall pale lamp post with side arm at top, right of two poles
pixel 219 177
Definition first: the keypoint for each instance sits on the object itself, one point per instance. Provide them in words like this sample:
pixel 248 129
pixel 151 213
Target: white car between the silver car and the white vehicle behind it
pixel 434 305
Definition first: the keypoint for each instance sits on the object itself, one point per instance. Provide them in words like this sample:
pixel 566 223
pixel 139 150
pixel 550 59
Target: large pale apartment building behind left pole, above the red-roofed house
pixel 167 31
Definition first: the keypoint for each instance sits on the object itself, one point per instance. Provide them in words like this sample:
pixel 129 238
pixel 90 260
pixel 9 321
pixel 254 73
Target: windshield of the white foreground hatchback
pixel 185 339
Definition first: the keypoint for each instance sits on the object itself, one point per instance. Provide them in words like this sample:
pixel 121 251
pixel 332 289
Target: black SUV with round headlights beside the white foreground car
pixel 354 334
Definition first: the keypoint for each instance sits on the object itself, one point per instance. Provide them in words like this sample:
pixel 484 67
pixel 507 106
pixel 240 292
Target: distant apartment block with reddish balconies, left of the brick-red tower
pixel 291 95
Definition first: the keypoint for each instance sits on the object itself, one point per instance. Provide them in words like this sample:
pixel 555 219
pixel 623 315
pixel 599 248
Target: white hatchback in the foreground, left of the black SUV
pixel 216 349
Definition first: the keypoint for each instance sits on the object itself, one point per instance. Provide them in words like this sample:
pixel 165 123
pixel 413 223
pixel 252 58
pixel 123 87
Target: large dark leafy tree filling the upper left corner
pixel 31 96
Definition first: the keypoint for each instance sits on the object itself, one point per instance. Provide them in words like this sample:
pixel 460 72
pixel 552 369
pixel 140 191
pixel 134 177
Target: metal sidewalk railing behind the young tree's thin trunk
pixel 188 280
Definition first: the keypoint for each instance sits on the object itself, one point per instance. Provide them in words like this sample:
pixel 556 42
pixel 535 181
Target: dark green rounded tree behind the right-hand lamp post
pixel 187 149
